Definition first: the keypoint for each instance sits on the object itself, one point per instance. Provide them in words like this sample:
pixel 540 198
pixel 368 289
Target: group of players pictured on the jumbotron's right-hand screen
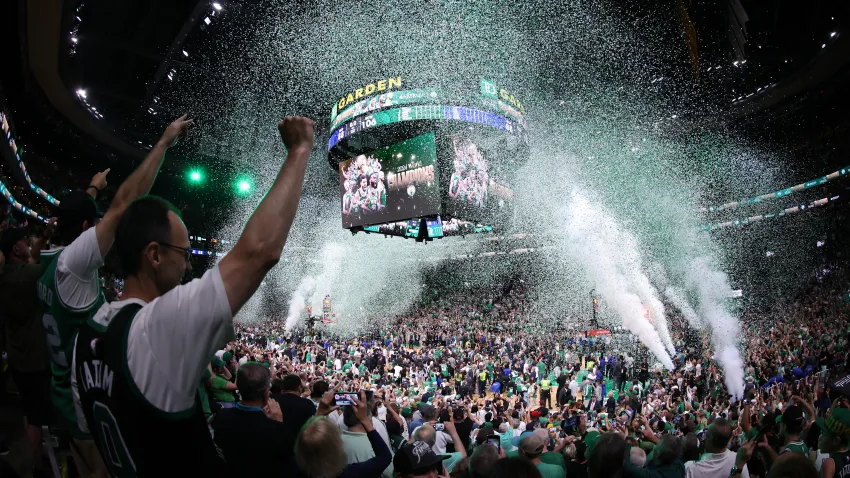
pixel 470 176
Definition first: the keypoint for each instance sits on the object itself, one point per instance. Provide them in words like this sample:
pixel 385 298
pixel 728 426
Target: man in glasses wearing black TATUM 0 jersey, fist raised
pixel 139 362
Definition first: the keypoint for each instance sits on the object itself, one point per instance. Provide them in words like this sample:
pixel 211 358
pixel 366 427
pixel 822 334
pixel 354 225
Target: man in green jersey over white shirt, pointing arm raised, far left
pixel 70 287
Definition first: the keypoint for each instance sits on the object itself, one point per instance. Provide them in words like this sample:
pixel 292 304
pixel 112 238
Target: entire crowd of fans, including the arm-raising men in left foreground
pixel 160 381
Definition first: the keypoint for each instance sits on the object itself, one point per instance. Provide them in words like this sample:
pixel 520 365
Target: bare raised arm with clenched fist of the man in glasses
pixel 259 248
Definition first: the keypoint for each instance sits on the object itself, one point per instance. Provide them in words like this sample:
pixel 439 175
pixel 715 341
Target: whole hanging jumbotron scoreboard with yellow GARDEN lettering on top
pixel 422 160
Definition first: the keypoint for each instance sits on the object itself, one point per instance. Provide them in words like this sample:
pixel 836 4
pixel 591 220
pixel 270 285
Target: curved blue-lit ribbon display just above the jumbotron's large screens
pixel 423 112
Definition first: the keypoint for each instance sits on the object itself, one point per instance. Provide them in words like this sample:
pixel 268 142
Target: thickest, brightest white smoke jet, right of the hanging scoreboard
pixel 592 239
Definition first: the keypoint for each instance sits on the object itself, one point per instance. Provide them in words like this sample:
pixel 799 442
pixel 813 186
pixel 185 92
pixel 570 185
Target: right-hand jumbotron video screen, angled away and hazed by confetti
pixel 474 190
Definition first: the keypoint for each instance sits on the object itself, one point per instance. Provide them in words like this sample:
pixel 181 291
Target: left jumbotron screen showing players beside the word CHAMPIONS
pixel 395 182
